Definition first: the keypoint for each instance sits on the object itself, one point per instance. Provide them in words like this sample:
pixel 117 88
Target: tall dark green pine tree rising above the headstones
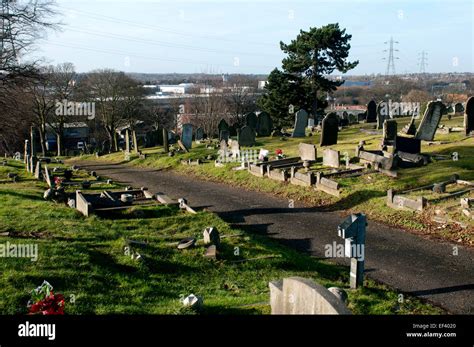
pixel 303 81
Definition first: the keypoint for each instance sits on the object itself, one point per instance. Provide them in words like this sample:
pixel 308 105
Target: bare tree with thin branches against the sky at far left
pixel 21 24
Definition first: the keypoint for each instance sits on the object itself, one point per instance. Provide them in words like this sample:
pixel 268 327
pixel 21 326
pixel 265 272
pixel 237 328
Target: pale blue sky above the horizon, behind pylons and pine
pixel 242 36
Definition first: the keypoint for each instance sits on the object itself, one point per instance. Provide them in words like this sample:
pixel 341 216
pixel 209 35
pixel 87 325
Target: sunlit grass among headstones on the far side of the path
pixel 365 194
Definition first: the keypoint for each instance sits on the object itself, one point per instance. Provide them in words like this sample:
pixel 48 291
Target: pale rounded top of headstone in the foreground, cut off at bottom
pixel 296 295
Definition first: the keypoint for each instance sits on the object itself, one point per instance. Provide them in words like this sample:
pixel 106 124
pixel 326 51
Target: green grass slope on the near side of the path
pixel 84 259
